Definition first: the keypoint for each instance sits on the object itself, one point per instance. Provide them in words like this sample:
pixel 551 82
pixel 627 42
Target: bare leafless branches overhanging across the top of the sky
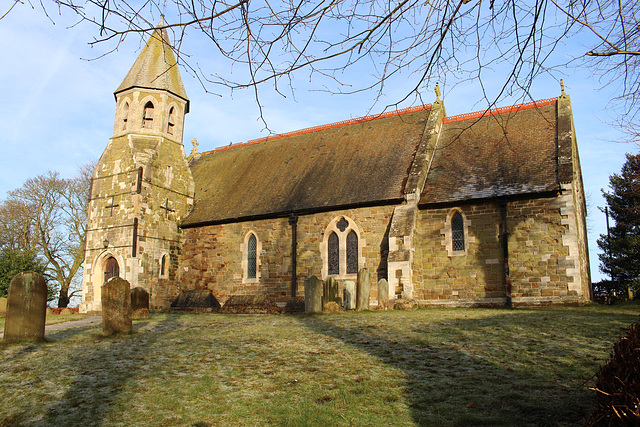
pixel 418 41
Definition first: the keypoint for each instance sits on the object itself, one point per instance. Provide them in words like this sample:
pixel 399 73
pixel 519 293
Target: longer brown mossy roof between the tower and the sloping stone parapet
pixel 358 162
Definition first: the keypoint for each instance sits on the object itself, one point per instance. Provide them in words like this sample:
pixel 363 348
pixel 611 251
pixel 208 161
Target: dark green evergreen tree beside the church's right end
pixel 621 249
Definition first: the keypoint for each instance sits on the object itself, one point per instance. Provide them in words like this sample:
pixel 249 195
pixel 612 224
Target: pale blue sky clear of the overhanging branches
pixel 58 107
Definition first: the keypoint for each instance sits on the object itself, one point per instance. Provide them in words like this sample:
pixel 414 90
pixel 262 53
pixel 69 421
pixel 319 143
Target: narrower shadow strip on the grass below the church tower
pixel 102 373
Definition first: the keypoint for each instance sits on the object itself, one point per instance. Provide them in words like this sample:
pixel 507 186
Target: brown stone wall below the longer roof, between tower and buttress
pixel 212 255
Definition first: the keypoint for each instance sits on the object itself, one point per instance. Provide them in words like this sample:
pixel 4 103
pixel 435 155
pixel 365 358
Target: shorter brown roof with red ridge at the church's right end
pixel 504 152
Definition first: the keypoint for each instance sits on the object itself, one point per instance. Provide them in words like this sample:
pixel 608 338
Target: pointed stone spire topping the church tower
pixel 156 67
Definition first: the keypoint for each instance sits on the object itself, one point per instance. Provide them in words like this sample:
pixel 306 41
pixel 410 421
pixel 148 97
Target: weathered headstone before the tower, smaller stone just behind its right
pixel 116 306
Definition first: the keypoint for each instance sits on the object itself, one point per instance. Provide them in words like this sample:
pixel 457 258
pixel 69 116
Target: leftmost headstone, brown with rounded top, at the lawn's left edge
pixel 26 308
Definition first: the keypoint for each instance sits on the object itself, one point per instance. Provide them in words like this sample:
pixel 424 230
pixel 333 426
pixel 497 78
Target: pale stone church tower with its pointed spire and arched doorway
pixel 142 186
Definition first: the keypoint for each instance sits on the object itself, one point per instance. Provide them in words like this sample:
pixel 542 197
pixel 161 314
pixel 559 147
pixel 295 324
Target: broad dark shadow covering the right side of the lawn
pixel 508 368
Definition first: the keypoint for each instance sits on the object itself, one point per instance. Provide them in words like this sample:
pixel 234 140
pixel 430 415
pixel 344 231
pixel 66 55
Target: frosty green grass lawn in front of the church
pixel 427 367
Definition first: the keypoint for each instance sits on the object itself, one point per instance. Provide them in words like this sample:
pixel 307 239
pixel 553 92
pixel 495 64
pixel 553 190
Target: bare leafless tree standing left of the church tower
pixel 48 214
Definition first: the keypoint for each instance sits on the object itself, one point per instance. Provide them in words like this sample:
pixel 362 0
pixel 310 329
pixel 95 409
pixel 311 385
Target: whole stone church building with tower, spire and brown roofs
pixel 483 208
